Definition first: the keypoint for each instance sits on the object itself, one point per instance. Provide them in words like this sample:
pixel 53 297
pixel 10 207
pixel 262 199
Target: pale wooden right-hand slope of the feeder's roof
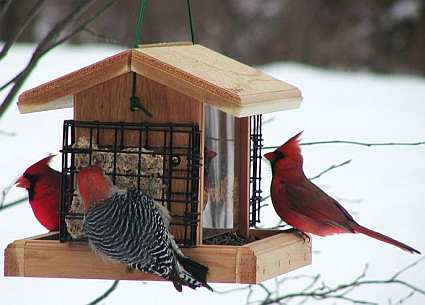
pixel 213 71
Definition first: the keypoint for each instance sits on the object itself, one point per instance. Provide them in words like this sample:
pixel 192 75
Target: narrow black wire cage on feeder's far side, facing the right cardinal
pixel 256 144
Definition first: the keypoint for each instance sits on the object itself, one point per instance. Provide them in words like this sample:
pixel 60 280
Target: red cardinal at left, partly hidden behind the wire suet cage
pixel 43 186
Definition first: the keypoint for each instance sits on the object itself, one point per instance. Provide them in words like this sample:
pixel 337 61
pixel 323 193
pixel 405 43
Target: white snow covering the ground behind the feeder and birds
pixel 389 181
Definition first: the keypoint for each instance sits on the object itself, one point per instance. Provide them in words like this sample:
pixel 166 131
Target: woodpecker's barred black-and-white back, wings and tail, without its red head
pixel 130 227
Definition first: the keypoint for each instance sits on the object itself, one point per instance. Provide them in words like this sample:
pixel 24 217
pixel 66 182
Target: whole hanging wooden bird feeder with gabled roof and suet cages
pixel 198 153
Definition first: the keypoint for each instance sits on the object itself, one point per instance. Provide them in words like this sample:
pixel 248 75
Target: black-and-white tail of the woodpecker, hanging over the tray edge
pixel 193 274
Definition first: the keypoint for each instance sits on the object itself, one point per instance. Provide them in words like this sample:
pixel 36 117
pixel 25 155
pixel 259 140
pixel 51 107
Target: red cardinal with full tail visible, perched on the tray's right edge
pixel 306 207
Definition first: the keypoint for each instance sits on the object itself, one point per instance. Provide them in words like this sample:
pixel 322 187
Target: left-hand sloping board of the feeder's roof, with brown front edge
pixel 58 93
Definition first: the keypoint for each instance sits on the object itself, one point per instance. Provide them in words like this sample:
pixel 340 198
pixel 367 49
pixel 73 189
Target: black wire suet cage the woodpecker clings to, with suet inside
pixel 162 159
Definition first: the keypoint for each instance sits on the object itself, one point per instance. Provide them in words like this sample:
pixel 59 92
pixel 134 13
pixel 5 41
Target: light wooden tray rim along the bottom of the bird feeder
pixel 275 252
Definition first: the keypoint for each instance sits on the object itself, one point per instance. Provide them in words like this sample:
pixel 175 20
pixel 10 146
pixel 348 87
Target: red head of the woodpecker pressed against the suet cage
pixel 93 185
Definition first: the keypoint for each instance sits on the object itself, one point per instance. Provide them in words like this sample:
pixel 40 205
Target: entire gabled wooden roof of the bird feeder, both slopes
pixel 193 70
